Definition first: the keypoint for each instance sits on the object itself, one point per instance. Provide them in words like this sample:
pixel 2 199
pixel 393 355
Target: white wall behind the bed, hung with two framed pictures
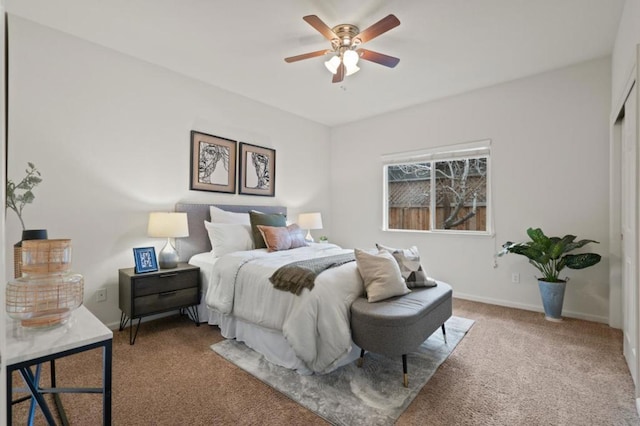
pixel 110 135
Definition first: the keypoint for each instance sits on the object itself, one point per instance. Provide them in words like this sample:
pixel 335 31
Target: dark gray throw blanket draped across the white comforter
pixel 297 276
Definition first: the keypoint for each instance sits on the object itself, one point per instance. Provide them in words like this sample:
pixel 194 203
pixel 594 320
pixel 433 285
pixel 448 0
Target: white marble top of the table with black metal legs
pixel 82 328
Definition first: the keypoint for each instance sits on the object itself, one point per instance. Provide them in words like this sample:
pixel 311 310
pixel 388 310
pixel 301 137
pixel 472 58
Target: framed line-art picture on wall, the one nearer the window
pixel 257 170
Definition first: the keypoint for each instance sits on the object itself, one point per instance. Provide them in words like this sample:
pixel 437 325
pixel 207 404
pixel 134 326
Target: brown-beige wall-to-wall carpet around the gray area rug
pixel 512 368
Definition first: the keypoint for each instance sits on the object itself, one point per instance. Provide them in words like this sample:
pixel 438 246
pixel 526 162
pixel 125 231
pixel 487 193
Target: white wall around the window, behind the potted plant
pixel 549 169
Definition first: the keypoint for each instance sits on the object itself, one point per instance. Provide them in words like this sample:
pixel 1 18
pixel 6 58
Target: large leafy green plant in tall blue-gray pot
pixel 550 256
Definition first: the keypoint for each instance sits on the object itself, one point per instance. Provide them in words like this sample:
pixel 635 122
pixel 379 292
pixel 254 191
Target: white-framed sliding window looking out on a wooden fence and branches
pixel 444 190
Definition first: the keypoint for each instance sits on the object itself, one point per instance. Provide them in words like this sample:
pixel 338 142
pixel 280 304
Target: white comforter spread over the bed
pixel 315 323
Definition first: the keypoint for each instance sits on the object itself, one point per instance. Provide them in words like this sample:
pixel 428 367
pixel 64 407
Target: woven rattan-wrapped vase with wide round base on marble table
pixel 47 292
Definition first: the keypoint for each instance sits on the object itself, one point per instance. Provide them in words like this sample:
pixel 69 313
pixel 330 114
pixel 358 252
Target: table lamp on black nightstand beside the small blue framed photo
pixel 168 225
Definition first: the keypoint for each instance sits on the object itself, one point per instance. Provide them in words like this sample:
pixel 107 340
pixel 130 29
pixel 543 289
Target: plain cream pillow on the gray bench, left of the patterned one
pixel 381 275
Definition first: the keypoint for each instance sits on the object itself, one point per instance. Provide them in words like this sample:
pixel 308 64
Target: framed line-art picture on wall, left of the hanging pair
pixel 213 163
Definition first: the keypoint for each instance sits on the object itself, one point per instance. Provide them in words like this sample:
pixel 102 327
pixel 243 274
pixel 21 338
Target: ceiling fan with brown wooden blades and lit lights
pixel 345 45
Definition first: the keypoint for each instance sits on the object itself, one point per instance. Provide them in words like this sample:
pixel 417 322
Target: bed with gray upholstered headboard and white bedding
pixel 308 332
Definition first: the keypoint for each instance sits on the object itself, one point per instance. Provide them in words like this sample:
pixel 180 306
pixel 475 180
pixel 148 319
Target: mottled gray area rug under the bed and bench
pixel 371 395
